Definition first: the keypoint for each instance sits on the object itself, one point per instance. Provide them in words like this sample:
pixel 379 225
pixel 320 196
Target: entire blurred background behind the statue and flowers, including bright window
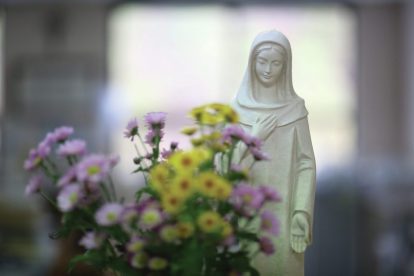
pixel 95 64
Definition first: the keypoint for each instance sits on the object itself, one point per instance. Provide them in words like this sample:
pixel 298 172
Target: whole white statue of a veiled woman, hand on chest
pixel 270 109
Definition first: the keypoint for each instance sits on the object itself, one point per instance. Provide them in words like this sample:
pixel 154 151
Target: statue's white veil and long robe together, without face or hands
pixel 291 169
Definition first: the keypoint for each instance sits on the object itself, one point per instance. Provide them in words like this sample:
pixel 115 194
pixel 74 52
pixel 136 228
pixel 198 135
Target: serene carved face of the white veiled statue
pixel 268 66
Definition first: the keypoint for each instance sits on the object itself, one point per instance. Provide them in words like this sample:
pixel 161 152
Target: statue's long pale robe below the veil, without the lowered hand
pixel 292 172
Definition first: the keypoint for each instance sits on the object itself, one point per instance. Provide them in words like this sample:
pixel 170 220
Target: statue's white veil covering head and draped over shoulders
pixel 288 111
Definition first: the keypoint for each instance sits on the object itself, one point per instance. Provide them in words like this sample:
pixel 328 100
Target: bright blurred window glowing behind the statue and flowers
pixel 172 58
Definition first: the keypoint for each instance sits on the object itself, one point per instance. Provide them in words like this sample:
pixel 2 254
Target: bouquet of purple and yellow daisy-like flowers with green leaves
pixel 197 214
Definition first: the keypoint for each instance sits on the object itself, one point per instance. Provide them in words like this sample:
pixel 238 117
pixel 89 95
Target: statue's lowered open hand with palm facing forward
pixel 299 232
